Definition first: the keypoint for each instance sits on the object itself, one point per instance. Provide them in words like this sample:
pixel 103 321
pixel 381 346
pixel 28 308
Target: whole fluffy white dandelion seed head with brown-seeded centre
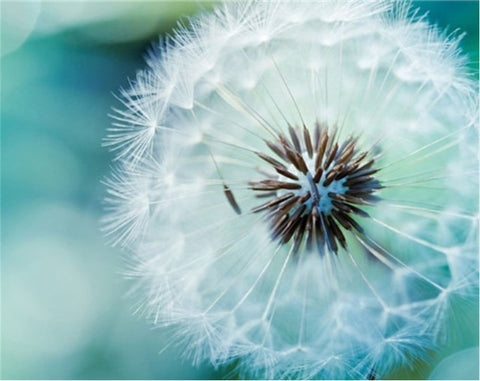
pixel 297 185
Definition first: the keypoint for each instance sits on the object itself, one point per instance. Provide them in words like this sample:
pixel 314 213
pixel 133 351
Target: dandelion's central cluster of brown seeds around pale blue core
pixel 318 187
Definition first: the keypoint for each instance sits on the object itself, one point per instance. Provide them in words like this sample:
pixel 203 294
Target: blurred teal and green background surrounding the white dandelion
pixel 64 306
